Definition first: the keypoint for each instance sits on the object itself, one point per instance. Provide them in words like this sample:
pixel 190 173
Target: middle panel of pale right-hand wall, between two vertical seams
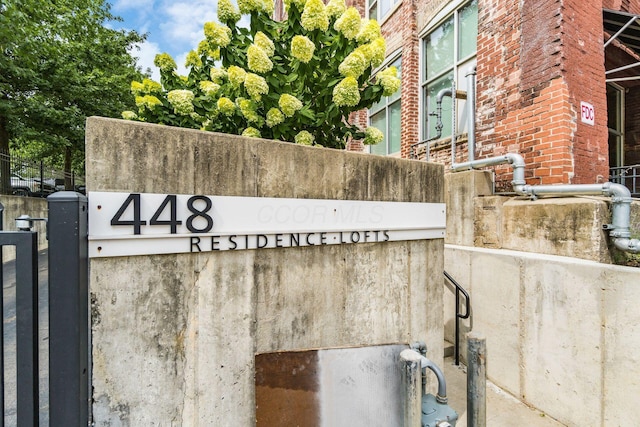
pixel 563 340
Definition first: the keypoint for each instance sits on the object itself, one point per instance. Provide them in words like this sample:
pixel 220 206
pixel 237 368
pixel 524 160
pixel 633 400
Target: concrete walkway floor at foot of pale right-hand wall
pixel 503 410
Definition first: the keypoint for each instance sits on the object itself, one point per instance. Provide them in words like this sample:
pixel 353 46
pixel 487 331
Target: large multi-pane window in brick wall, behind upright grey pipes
pixel 449 52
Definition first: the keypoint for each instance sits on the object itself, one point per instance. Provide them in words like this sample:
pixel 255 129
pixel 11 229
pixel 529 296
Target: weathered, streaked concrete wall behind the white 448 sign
pixel 174 336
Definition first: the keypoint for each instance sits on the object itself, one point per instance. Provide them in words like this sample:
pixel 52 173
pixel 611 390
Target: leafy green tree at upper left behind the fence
pixel 58 65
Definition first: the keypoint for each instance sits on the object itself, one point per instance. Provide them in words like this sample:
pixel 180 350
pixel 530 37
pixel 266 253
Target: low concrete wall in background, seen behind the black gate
pixel 14 207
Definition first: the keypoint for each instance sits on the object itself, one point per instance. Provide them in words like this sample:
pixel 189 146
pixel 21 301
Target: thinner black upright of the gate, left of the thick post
pixel 27 389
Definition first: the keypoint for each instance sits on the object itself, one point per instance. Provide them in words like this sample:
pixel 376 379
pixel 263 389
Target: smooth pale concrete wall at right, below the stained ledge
pixel 562 333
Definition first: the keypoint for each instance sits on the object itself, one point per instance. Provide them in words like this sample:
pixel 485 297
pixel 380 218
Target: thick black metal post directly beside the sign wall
pixel 69 376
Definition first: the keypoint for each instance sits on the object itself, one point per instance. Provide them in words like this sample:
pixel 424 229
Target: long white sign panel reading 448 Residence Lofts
pixel 125 224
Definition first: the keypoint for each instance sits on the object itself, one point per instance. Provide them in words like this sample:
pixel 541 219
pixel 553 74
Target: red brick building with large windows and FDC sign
pixel 539 64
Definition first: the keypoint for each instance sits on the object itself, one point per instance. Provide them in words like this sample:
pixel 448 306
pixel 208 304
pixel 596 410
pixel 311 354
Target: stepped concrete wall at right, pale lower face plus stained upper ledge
pixel 560 320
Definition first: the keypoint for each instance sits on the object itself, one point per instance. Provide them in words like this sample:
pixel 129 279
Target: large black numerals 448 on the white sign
pixel 168 204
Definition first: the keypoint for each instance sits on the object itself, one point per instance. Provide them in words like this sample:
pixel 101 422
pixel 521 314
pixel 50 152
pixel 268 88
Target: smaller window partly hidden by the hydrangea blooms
pixel 385 115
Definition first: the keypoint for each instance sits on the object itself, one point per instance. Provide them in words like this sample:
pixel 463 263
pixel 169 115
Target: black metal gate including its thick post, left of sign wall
pixel 68 366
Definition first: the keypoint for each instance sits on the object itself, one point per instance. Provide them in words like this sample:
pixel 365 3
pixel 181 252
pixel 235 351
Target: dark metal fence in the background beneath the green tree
pixel 35 178
